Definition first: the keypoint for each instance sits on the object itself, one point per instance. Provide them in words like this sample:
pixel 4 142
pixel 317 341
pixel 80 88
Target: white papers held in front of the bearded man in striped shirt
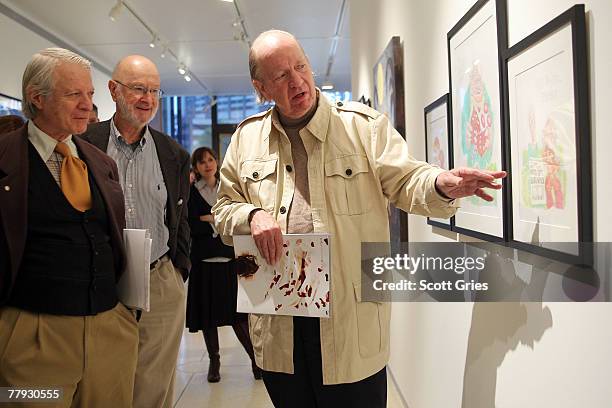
pixel 133 288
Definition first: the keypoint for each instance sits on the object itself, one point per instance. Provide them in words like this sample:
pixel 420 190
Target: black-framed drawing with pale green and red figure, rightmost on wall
pixel 548 135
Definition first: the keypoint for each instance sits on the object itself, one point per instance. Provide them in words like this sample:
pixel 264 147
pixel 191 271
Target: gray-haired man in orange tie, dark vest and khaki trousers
pixel 61 249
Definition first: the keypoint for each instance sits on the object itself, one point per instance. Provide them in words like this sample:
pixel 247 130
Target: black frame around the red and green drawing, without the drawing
pixel 502 45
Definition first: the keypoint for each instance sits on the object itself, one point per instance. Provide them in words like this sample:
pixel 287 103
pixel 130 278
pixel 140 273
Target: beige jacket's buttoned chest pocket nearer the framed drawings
pixel 346 184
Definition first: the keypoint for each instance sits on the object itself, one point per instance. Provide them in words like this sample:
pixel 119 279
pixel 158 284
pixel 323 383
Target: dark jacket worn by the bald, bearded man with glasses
pixel 174 163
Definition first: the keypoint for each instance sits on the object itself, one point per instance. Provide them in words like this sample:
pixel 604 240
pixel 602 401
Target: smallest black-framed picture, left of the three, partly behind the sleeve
pixel 438 144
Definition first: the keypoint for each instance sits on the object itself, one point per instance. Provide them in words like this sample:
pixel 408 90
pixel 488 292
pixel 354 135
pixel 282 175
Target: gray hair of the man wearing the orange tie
pixel 38 75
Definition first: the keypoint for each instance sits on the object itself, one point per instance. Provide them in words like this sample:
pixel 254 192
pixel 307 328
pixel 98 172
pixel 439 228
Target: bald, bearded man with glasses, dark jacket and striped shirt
pixel 154 174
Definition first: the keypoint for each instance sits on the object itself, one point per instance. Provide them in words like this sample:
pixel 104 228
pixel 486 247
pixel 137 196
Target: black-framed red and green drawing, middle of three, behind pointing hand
pixel 475 100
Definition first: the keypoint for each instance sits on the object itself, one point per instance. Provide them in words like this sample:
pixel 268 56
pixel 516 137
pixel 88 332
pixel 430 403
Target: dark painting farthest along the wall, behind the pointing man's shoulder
pixel 389 99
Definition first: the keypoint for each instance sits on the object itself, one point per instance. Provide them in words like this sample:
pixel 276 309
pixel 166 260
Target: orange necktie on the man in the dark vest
pixel 73 179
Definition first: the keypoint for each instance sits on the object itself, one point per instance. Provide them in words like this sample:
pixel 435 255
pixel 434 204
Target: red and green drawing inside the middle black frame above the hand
pixel 477 129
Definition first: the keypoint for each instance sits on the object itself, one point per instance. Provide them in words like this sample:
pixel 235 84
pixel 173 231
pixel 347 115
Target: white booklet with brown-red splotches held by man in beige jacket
pixel 298 285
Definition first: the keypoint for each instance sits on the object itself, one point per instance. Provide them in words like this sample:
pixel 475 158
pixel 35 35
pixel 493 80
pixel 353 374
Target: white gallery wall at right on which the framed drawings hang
pixel 504 354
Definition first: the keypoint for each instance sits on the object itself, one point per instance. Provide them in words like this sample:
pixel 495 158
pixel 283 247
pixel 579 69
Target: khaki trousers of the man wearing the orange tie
pixel 92 358
